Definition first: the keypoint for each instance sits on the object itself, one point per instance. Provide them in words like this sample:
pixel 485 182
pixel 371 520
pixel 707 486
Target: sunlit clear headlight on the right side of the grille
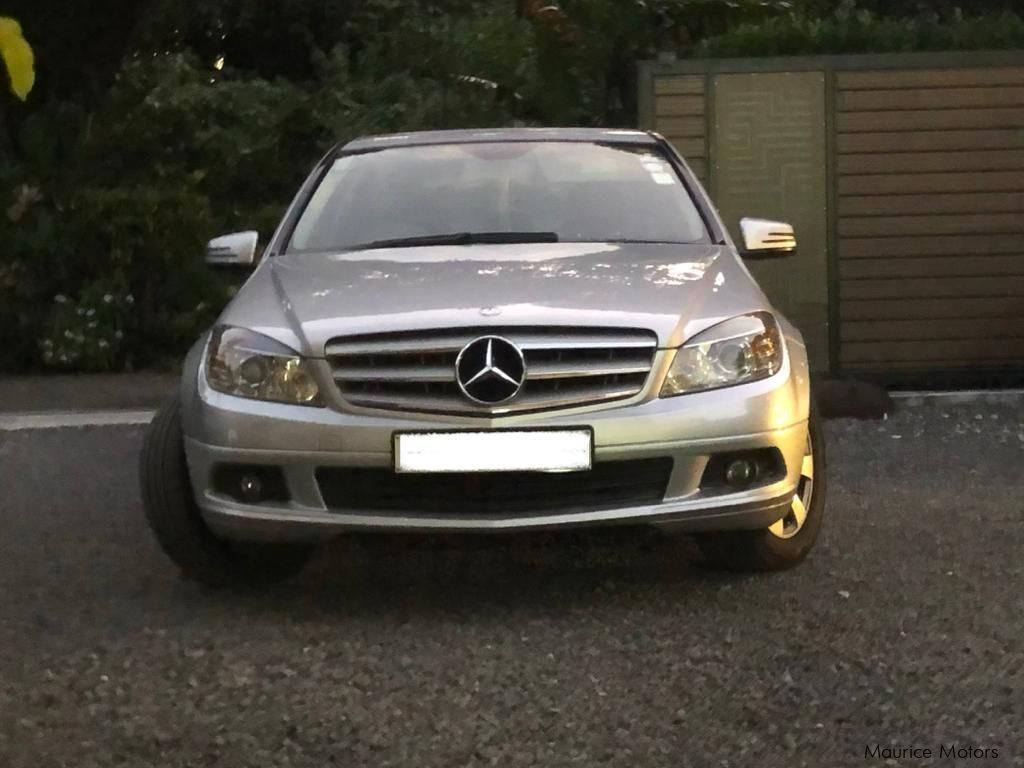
pixel 738 352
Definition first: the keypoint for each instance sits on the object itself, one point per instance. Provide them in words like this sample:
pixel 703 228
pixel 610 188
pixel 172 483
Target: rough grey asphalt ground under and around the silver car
pixel 905 629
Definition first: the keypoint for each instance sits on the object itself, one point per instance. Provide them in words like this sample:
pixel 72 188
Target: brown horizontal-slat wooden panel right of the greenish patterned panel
pixel 930 219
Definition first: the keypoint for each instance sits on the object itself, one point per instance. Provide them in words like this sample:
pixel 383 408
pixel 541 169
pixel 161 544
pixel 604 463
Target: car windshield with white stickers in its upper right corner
pixel 530 192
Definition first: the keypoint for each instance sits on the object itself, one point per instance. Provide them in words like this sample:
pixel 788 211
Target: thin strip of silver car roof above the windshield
pixel 424 139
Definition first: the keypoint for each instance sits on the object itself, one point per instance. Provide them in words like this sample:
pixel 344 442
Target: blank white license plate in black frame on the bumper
pixel 569 451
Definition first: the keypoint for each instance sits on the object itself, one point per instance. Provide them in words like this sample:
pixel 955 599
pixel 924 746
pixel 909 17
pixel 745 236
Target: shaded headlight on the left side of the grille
pixel 250 365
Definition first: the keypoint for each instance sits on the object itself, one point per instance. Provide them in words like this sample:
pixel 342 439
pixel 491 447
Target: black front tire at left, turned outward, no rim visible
pixel 179 526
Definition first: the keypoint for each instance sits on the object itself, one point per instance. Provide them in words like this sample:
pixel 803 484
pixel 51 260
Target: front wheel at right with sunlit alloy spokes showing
pixel 791 540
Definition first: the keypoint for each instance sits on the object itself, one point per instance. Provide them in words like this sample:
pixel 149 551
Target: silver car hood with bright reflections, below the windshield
pixel 674 290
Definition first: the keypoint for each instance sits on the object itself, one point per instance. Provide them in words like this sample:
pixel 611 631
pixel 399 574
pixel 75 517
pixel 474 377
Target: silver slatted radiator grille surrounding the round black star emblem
pixel 566 368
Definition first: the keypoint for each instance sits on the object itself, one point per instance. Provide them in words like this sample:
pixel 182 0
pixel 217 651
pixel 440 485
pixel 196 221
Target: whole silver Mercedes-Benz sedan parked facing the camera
pixel 491 331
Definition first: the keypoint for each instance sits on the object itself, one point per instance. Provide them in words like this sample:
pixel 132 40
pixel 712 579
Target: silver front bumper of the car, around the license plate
pixel 225 431
